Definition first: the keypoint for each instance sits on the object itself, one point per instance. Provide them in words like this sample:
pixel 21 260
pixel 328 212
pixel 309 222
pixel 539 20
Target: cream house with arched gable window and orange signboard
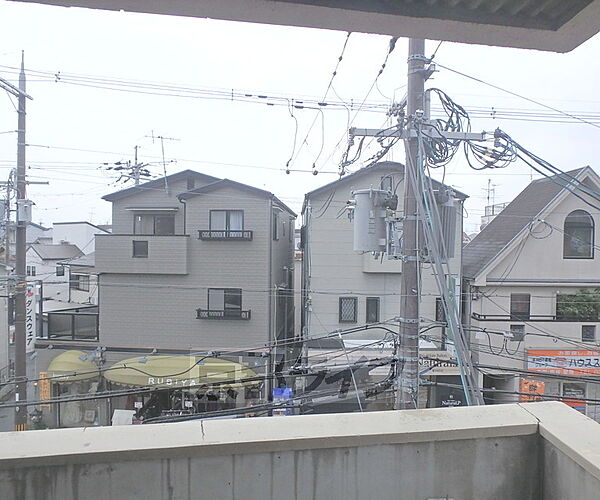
pixel 532 287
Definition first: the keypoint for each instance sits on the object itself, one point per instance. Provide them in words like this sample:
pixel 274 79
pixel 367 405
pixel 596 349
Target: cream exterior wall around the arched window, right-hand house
pixel 535 266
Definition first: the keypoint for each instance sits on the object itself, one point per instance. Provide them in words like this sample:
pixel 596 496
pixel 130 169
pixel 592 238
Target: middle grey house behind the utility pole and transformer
pixel 343 289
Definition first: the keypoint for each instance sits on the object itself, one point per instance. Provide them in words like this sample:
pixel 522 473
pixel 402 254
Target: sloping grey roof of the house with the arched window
pixel 509 223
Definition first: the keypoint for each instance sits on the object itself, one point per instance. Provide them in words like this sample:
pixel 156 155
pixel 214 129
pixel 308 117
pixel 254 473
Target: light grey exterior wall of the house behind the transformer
pixel 332 269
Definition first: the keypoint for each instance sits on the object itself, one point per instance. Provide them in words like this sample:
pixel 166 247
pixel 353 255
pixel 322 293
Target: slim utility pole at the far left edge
pixel 20 249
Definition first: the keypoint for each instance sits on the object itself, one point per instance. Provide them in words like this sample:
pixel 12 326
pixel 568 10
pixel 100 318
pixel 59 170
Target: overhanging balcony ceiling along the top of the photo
pixel 552 25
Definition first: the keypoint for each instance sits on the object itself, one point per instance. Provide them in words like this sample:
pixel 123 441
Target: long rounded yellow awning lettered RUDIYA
pixel 179 372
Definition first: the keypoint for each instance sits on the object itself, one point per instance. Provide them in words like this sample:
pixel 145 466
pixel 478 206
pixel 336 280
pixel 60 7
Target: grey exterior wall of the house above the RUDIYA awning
pixel 159 310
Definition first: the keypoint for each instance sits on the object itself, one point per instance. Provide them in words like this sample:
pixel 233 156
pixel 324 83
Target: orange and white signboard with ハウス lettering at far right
pixel 564 362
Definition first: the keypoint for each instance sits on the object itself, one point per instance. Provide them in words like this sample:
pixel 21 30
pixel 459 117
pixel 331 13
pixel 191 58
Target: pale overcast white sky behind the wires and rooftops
pixel 94 77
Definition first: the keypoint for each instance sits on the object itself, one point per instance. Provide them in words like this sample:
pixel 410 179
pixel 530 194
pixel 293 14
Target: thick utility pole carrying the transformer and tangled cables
pixel 407 388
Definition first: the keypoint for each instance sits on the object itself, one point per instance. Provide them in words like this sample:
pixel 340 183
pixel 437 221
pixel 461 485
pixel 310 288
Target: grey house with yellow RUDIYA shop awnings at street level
pixel 195 286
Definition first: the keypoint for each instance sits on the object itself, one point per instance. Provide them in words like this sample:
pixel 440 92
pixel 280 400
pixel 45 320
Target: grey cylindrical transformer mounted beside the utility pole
pixel 369 220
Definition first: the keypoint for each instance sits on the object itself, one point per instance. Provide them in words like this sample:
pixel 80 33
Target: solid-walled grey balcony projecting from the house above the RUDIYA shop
pixel 153 254
